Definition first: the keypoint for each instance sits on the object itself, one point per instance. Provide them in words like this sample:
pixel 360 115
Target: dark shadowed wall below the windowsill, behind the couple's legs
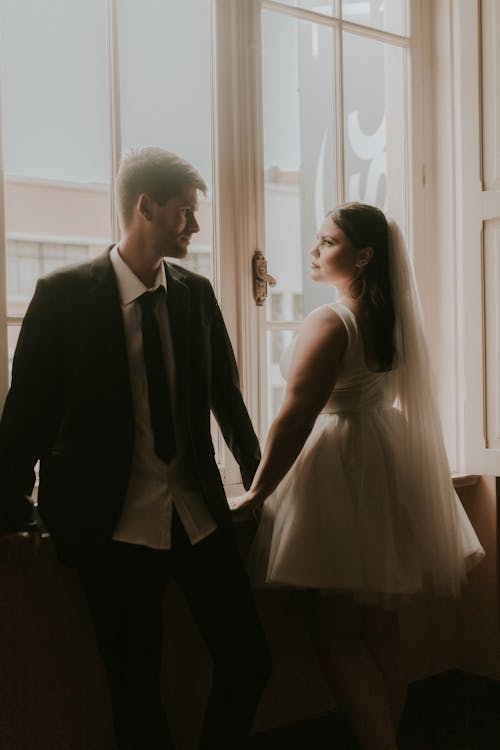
pixel 52 689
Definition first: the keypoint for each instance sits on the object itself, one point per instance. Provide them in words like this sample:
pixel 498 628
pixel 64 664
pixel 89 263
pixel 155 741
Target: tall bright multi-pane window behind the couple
pixel 287 108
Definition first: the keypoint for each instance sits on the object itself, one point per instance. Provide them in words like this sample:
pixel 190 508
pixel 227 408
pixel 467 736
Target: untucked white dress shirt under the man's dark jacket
pixel 154 487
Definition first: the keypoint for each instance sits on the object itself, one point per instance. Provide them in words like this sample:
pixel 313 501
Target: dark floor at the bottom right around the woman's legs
pixel 452 711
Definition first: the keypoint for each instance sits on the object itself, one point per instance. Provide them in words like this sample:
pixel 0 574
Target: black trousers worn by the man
pixel 124 585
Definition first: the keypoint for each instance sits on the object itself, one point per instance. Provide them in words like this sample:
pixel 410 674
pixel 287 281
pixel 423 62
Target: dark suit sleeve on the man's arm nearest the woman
pixel 227 401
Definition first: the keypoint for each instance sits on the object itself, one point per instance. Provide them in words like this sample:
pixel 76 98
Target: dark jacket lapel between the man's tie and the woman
pixel 179 314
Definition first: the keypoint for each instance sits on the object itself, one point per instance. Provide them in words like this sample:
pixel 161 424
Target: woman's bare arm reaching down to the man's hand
pixel 318 351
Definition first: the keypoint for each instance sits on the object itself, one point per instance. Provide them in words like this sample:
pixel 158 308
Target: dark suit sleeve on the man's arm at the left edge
pixel 30 407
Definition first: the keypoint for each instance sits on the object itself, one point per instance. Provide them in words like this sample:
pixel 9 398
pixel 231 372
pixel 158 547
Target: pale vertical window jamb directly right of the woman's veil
pixel 434 234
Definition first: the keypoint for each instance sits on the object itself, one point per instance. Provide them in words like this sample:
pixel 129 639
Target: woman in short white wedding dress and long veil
pixel 366 516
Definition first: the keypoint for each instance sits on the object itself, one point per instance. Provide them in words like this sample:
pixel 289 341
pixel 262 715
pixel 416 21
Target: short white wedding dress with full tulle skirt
pixel 355 513
